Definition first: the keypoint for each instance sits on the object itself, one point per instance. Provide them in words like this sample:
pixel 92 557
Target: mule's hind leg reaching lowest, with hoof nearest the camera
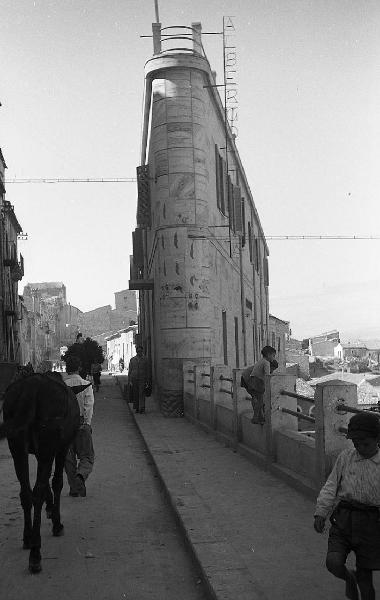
pixel 39 494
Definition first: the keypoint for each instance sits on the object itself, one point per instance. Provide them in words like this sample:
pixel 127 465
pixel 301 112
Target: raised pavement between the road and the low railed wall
pixel 251 534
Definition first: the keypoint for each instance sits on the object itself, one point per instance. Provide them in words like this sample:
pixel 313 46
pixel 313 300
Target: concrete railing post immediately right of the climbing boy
pixel 274 418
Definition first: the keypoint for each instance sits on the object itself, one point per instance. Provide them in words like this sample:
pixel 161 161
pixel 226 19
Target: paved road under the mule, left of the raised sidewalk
pixel 120 543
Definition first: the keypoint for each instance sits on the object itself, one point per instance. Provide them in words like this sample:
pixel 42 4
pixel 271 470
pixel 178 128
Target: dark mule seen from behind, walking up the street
pixel 41 417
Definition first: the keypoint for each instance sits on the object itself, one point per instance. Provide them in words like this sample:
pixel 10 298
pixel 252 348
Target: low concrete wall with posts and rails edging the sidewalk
pixel 214 399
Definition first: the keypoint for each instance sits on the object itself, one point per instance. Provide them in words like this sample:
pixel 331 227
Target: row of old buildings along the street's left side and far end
pixel 38 324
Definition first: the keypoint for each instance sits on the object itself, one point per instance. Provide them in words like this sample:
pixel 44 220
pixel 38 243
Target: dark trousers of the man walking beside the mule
pixel 80 457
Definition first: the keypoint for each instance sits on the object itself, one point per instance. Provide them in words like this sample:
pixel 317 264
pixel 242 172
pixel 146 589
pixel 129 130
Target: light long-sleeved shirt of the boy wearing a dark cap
pixel 352 478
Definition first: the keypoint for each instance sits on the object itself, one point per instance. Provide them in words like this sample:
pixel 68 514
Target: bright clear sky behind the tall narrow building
pixel 309 138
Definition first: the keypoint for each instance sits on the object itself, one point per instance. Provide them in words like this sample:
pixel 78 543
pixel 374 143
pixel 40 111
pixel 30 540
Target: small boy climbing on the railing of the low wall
pixel 253 380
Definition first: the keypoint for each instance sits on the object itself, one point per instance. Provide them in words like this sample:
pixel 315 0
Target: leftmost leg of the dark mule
pixel 21 464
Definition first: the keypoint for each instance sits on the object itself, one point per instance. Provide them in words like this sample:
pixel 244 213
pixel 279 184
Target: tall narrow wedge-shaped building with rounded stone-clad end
pixel 203 276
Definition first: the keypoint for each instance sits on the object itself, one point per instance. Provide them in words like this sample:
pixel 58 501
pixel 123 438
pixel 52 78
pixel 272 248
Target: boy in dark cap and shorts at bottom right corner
pixel 352 494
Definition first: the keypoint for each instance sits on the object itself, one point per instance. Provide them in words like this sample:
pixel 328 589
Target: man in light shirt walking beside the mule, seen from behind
pixel 80 457
